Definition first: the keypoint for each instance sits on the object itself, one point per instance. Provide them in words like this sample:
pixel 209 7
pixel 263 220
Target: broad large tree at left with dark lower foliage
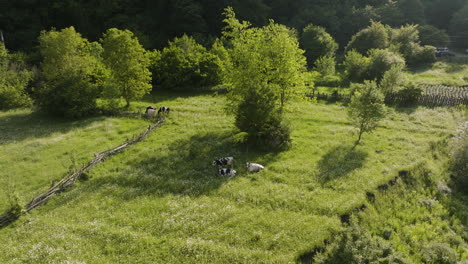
pixel 70 73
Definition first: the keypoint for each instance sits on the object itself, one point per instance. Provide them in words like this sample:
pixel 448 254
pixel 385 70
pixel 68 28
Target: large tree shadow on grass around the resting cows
pixel 185 169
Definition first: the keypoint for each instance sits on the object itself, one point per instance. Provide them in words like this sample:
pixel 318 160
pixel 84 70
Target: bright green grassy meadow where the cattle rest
pixel 161 201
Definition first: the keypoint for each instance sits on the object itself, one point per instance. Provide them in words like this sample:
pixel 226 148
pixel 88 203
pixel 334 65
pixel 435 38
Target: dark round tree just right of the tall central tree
pixel 317 43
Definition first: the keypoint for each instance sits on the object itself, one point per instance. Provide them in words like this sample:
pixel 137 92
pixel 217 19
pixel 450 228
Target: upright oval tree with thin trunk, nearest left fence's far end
pixel 128 62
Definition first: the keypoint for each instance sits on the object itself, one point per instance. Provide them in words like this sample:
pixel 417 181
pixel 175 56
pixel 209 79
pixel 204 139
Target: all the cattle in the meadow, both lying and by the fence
pixel 222 162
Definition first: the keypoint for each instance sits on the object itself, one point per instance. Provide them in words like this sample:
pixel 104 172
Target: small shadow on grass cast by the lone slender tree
pixel 339 162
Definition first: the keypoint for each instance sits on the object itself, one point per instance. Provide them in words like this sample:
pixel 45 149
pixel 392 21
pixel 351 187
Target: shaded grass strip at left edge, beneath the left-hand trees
pixel 17 127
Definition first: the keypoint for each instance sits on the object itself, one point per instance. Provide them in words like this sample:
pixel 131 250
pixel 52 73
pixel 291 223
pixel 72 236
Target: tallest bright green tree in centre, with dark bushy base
pixel 266 69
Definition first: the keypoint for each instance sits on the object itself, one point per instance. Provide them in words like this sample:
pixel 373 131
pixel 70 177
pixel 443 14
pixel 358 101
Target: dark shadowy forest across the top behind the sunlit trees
pixel 157 21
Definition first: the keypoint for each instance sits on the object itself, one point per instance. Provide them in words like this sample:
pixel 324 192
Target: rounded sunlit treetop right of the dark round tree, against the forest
pixel 373 37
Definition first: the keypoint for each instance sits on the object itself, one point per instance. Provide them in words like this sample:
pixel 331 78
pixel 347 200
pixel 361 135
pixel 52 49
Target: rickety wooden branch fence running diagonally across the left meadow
pixel 70 179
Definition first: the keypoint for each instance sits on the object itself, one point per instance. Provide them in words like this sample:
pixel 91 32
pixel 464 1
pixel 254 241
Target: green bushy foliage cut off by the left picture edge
pixel 14 79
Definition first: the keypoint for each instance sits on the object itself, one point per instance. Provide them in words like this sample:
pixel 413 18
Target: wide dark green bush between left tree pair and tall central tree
pixel 185 63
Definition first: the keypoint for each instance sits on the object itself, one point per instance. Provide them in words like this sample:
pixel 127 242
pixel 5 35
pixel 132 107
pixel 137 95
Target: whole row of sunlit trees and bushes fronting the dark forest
pixel 262 68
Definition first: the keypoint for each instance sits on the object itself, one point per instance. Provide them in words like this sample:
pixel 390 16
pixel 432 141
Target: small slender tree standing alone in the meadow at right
pixel 366 108
